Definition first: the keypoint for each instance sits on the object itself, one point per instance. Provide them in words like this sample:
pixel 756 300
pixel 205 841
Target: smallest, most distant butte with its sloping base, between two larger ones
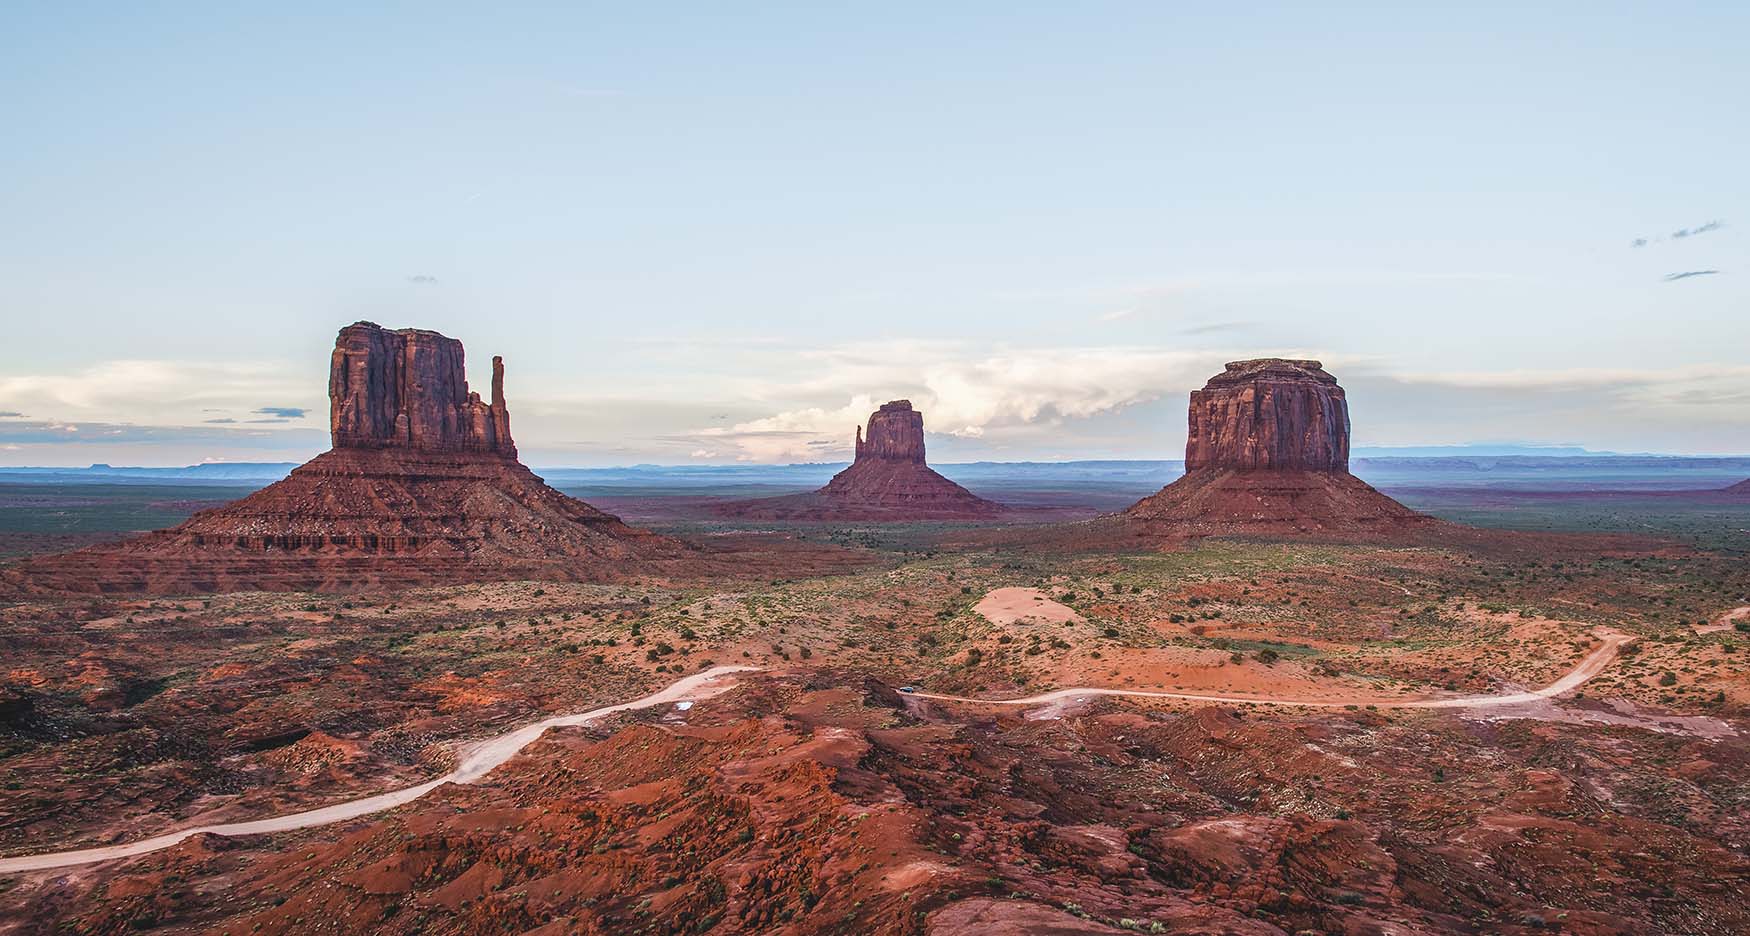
pixel 886 482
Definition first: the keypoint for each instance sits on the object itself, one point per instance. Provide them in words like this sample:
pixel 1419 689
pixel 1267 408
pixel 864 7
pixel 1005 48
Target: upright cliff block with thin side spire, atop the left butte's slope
pixel 409 389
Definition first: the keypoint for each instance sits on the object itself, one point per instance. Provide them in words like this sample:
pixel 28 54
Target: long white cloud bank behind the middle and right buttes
pixel 1047 400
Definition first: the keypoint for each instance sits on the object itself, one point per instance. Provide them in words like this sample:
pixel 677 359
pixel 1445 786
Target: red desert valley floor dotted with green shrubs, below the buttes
pixel 808 792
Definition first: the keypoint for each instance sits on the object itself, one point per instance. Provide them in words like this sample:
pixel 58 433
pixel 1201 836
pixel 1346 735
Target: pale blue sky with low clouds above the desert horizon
pixel 711 235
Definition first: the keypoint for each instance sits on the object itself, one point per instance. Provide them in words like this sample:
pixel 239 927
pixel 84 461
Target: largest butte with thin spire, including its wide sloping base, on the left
pixel 423 485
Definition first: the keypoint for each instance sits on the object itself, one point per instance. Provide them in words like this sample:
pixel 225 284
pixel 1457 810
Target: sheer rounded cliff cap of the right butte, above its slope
pixel 1270 416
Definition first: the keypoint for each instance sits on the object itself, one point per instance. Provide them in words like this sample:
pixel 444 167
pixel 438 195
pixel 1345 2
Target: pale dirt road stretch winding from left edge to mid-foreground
pixel 477 762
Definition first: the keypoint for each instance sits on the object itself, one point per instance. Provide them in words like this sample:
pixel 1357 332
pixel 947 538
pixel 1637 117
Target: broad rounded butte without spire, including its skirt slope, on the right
pixel 1268 452
